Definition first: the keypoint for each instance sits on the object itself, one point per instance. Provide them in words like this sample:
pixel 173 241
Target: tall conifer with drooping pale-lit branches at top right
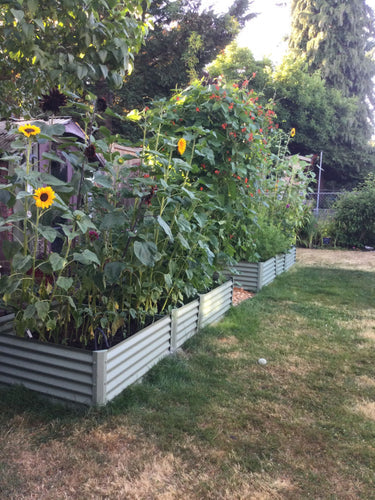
pixel 336 38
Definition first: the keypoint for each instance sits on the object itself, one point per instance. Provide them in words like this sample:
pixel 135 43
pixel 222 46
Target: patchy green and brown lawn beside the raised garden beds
pixel 210 422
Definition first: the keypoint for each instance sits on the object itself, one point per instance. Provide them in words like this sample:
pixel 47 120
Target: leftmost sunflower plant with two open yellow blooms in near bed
pixel 38 288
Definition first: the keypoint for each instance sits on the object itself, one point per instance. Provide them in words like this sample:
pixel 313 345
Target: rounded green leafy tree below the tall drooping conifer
pixel 324 120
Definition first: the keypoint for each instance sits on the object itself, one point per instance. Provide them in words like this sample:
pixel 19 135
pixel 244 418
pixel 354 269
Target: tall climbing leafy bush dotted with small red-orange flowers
pixel 238 159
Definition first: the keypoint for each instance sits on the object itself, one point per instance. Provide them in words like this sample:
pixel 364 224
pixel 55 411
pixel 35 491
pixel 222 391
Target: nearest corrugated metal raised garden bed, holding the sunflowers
pixel 96 377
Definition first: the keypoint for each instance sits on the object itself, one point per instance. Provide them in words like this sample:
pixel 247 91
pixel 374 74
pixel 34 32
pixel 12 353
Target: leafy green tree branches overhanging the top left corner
pixel 67 44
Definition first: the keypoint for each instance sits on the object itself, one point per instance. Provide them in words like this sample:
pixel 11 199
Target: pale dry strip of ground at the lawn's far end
pixel 346 259
